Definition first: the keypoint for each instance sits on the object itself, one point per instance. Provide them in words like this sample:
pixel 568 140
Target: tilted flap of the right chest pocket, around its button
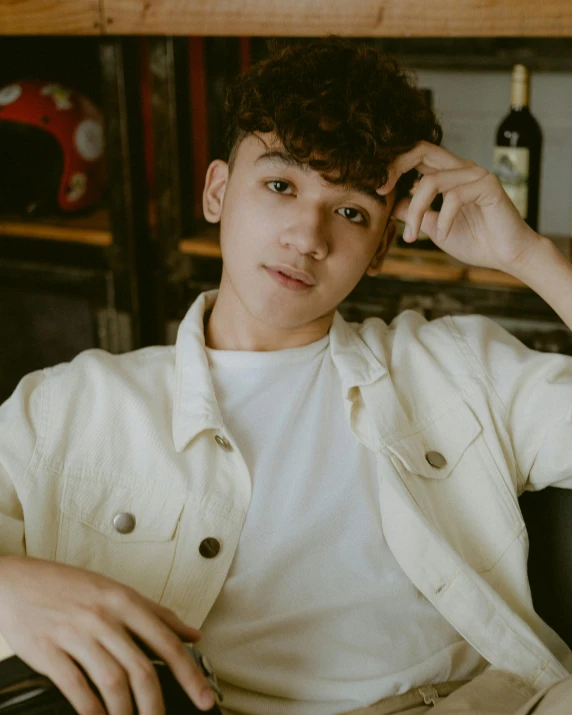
pixel 449 435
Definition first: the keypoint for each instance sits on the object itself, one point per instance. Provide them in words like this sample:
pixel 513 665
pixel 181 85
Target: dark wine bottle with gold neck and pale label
pixel 518 149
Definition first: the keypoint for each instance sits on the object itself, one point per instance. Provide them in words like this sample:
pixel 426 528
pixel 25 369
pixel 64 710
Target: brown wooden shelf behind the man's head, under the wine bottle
pixel 408 263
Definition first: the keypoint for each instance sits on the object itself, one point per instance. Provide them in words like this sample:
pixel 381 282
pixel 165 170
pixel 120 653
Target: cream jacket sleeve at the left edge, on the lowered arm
pixel 19 419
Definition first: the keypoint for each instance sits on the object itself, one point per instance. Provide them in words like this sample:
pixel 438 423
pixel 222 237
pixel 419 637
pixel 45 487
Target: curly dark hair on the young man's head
pixel 341 106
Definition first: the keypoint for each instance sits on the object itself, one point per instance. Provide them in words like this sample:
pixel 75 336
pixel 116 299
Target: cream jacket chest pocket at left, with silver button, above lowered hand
pixel 124 532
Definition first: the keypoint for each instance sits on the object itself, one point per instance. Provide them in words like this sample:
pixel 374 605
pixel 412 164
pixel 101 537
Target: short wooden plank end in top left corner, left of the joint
pixel 50 17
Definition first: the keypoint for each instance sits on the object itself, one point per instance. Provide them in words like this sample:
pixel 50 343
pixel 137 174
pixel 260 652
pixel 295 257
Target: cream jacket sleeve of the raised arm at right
pixel 534 390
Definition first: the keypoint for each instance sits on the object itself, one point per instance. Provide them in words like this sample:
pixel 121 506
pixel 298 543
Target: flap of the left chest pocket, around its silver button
pixel 96 502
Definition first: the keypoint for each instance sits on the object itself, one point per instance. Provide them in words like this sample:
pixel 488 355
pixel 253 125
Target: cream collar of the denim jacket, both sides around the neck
pixel 195 407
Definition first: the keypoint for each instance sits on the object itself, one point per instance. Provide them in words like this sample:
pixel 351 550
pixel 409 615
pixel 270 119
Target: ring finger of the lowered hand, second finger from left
pixel 108 676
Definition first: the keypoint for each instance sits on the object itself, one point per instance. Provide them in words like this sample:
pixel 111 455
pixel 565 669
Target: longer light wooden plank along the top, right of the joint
pixel 366 18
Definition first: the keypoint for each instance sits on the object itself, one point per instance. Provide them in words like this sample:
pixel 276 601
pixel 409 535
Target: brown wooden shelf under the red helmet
pixel 92 230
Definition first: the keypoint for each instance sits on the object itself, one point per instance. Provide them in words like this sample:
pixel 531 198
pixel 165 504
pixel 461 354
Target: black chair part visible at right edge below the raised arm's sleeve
pixel 548 518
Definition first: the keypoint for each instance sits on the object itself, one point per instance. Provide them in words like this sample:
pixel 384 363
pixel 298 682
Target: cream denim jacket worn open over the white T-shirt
pixel 141 433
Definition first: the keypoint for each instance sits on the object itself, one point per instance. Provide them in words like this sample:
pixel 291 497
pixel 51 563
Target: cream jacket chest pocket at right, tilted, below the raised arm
pixel 450 472
